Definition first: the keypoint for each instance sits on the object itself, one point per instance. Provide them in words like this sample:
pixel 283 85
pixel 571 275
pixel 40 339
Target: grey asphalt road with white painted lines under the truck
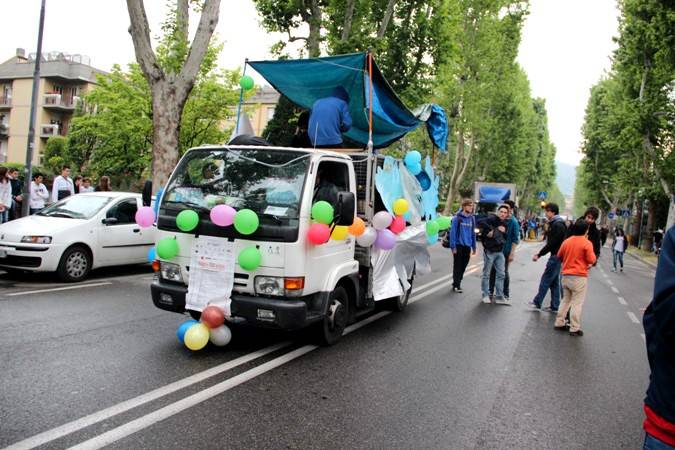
pixel 97 365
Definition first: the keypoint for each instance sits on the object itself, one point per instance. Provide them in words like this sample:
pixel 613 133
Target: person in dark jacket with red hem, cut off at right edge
pixel 659 323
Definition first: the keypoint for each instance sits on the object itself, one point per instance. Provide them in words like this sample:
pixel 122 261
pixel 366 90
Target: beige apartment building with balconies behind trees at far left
pixel 64 79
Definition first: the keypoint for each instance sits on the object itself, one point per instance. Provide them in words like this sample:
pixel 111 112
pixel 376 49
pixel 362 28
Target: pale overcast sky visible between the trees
pixel 565 49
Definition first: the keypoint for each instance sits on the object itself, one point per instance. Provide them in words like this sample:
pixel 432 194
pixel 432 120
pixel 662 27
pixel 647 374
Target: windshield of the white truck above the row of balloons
pixel 268 182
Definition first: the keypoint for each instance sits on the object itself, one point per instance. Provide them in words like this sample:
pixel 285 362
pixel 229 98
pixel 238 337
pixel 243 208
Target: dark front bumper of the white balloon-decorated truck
pixel 278 313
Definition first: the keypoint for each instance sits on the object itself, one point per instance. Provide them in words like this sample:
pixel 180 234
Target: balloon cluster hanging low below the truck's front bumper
pixel 195 335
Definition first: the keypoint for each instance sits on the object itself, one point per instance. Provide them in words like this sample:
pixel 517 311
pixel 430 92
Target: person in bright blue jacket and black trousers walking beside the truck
pixel 462 242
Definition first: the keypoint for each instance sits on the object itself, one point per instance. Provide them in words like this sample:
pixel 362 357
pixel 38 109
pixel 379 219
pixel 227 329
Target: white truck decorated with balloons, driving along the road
pixel 297 284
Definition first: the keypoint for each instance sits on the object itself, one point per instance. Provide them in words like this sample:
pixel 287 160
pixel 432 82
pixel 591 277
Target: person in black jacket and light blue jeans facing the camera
pixel 493 232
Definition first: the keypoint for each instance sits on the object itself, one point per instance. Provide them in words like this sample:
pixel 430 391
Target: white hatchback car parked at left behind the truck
pixel 77 234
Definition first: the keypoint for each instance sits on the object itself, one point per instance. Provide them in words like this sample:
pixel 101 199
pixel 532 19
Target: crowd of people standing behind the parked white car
pixel 12 197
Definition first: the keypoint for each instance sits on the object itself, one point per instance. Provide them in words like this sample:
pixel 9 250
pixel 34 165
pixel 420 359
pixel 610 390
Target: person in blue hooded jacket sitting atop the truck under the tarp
pixel 329 119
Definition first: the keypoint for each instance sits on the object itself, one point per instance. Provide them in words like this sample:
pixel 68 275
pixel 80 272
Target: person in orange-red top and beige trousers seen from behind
pixel 577 256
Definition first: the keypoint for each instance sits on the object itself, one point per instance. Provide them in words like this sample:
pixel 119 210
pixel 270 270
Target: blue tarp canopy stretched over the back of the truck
pixel 303 81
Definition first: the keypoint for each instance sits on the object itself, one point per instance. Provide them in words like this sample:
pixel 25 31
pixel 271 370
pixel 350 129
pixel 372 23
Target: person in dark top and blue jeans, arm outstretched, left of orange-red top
pixel 550 279
